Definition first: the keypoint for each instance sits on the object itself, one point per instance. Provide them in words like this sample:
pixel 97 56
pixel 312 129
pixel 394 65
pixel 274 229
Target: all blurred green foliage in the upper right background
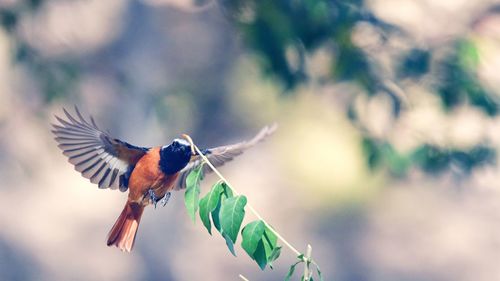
pixel 305 26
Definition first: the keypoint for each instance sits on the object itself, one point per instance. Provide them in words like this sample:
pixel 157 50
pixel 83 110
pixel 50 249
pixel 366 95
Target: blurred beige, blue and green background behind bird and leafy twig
pixel 385 160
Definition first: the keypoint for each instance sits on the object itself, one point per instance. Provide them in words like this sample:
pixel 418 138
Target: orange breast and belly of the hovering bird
pixel 147 175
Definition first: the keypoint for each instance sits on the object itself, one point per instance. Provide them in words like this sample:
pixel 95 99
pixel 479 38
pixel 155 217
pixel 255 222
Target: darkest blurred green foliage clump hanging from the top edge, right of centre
pixel 303 26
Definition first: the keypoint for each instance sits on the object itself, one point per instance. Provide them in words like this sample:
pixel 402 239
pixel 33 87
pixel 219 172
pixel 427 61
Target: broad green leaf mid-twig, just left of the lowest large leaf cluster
pixel 231 215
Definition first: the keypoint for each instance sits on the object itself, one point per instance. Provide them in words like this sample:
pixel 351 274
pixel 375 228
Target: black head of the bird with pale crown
pixel 175 156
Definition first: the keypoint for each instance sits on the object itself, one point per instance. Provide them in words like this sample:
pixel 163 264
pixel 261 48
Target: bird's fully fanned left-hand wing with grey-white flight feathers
pixel 102 159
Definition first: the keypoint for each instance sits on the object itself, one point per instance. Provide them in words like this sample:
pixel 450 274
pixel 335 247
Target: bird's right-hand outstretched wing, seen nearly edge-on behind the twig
pixel 218 156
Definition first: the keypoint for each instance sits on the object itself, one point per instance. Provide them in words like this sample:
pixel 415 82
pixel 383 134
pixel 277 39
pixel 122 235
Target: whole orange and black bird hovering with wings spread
pixel 149 174
